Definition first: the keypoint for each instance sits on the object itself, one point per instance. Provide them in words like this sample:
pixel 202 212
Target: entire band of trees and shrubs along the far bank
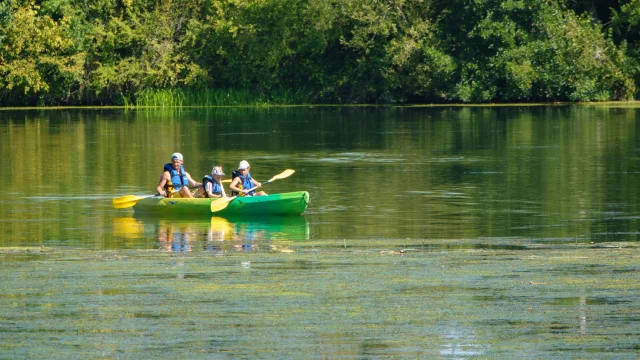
pixel 286 52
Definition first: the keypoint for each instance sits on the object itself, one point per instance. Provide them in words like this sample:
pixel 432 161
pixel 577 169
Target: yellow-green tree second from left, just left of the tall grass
pixel 137 48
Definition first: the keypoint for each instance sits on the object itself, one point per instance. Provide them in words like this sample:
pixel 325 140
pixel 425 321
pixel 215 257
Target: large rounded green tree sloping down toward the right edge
pixel 528 50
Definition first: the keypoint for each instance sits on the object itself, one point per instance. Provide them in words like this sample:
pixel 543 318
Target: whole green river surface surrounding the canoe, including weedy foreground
pixel 453 232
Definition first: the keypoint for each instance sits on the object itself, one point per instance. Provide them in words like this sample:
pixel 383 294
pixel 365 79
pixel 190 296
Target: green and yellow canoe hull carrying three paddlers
pixel 293 203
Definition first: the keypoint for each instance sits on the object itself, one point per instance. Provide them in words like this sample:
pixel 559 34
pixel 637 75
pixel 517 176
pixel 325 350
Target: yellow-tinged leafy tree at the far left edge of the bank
pixel 37 61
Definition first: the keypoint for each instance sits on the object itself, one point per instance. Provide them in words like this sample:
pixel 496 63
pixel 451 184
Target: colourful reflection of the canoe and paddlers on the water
pixel 215 234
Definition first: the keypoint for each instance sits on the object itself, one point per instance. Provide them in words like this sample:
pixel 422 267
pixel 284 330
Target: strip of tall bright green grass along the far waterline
pixel 214 97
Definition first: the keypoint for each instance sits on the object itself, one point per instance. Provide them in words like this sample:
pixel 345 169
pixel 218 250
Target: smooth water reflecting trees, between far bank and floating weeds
pixel 546 175
